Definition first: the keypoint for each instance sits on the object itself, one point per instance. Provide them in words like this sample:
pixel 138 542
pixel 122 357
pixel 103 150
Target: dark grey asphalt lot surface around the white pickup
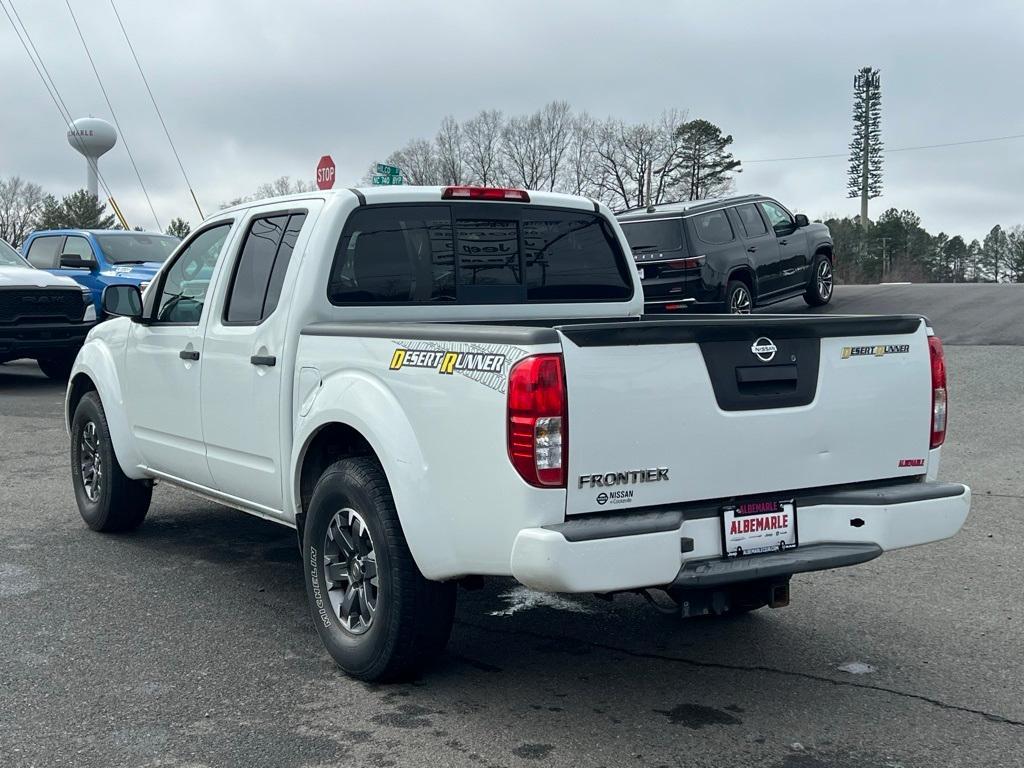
pixel 189 644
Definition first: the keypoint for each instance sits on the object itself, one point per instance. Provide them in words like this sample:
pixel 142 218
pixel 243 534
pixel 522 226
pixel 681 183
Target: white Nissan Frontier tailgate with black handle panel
pixel 711 408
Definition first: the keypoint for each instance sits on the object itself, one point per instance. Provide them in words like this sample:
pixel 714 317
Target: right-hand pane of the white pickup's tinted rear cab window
pixel 572 258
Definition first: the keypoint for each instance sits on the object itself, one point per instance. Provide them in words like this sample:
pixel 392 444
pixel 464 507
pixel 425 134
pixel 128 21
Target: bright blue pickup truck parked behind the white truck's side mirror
pixel 97 259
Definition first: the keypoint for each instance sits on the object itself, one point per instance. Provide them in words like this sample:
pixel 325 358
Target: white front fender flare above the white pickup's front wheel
pixel 97 362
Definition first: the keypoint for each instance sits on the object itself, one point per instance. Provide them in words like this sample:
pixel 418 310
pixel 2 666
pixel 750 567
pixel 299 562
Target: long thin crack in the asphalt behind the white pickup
pixel 756 668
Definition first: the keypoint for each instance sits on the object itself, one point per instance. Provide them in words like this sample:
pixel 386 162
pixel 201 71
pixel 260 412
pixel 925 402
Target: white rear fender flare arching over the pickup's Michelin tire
pixel 364 403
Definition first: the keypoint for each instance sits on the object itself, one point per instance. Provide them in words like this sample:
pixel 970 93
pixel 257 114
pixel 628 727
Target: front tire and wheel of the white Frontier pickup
pixel 116 503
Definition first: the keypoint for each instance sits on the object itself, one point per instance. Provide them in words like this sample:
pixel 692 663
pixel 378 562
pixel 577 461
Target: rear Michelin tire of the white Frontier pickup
pixel 411 618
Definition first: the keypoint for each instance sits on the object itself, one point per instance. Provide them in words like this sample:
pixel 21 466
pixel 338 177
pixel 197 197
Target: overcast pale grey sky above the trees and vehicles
pixel 257 91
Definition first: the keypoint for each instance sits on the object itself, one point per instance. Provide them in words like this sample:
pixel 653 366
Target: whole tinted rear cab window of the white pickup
pixel 473 253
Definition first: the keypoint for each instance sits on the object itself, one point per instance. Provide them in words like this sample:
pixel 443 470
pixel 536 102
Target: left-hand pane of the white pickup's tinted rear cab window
pixel 395 254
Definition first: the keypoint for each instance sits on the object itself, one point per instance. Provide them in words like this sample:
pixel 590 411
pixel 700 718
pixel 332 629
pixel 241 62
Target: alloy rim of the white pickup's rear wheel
pixel 351 568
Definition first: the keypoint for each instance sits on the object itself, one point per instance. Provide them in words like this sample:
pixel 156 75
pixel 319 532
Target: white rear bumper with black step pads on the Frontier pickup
pixel 610 553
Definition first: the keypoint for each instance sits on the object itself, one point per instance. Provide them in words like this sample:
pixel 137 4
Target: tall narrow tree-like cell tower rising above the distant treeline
pixel 866 149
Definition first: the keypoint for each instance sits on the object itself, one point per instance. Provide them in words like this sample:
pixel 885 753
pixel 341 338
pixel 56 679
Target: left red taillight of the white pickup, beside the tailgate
pixel 538 420
